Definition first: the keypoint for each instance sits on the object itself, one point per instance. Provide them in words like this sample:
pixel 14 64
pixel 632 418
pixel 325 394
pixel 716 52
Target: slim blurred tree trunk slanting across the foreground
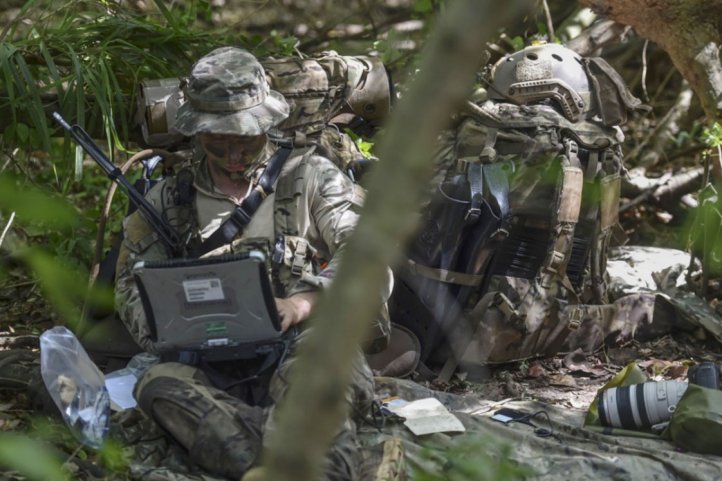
pixel 449 64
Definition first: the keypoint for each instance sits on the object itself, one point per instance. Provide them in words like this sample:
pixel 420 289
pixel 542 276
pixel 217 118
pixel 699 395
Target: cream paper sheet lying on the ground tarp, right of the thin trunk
pixel 427 416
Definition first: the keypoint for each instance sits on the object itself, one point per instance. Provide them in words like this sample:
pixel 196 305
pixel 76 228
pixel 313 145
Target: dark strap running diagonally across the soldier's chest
pixel 242 214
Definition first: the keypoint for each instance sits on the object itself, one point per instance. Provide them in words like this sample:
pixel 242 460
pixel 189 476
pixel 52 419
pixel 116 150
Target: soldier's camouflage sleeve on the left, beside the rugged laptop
pixel 140 243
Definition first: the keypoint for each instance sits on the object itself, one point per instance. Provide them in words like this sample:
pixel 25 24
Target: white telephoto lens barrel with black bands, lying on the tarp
pixel 640 405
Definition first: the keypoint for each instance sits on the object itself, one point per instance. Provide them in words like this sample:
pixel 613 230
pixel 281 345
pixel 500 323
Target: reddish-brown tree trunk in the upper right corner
pixel 688 30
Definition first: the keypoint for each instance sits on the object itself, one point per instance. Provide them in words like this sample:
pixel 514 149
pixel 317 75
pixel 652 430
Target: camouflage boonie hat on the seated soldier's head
pixel 227 93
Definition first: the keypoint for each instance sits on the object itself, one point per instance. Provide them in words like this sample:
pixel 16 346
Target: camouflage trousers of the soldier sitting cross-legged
pixel 224 435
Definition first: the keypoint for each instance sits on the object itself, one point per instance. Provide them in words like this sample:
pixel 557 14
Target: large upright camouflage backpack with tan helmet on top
pixel 513 245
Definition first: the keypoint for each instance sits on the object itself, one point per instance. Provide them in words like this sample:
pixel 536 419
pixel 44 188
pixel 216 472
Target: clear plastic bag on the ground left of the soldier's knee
pixel 75 384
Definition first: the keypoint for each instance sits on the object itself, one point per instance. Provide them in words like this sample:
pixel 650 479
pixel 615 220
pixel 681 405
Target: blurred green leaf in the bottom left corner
pixel 30 457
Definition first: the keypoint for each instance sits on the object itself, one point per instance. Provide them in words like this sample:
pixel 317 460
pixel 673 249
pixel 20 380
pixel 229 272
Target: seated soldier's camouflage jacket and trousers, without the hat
pixel 310 216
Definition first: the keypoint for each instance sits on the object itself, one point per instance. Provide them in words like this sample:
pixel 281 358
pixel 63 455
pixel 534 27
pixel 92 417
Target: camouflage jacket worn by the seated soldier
pixel 304 224
